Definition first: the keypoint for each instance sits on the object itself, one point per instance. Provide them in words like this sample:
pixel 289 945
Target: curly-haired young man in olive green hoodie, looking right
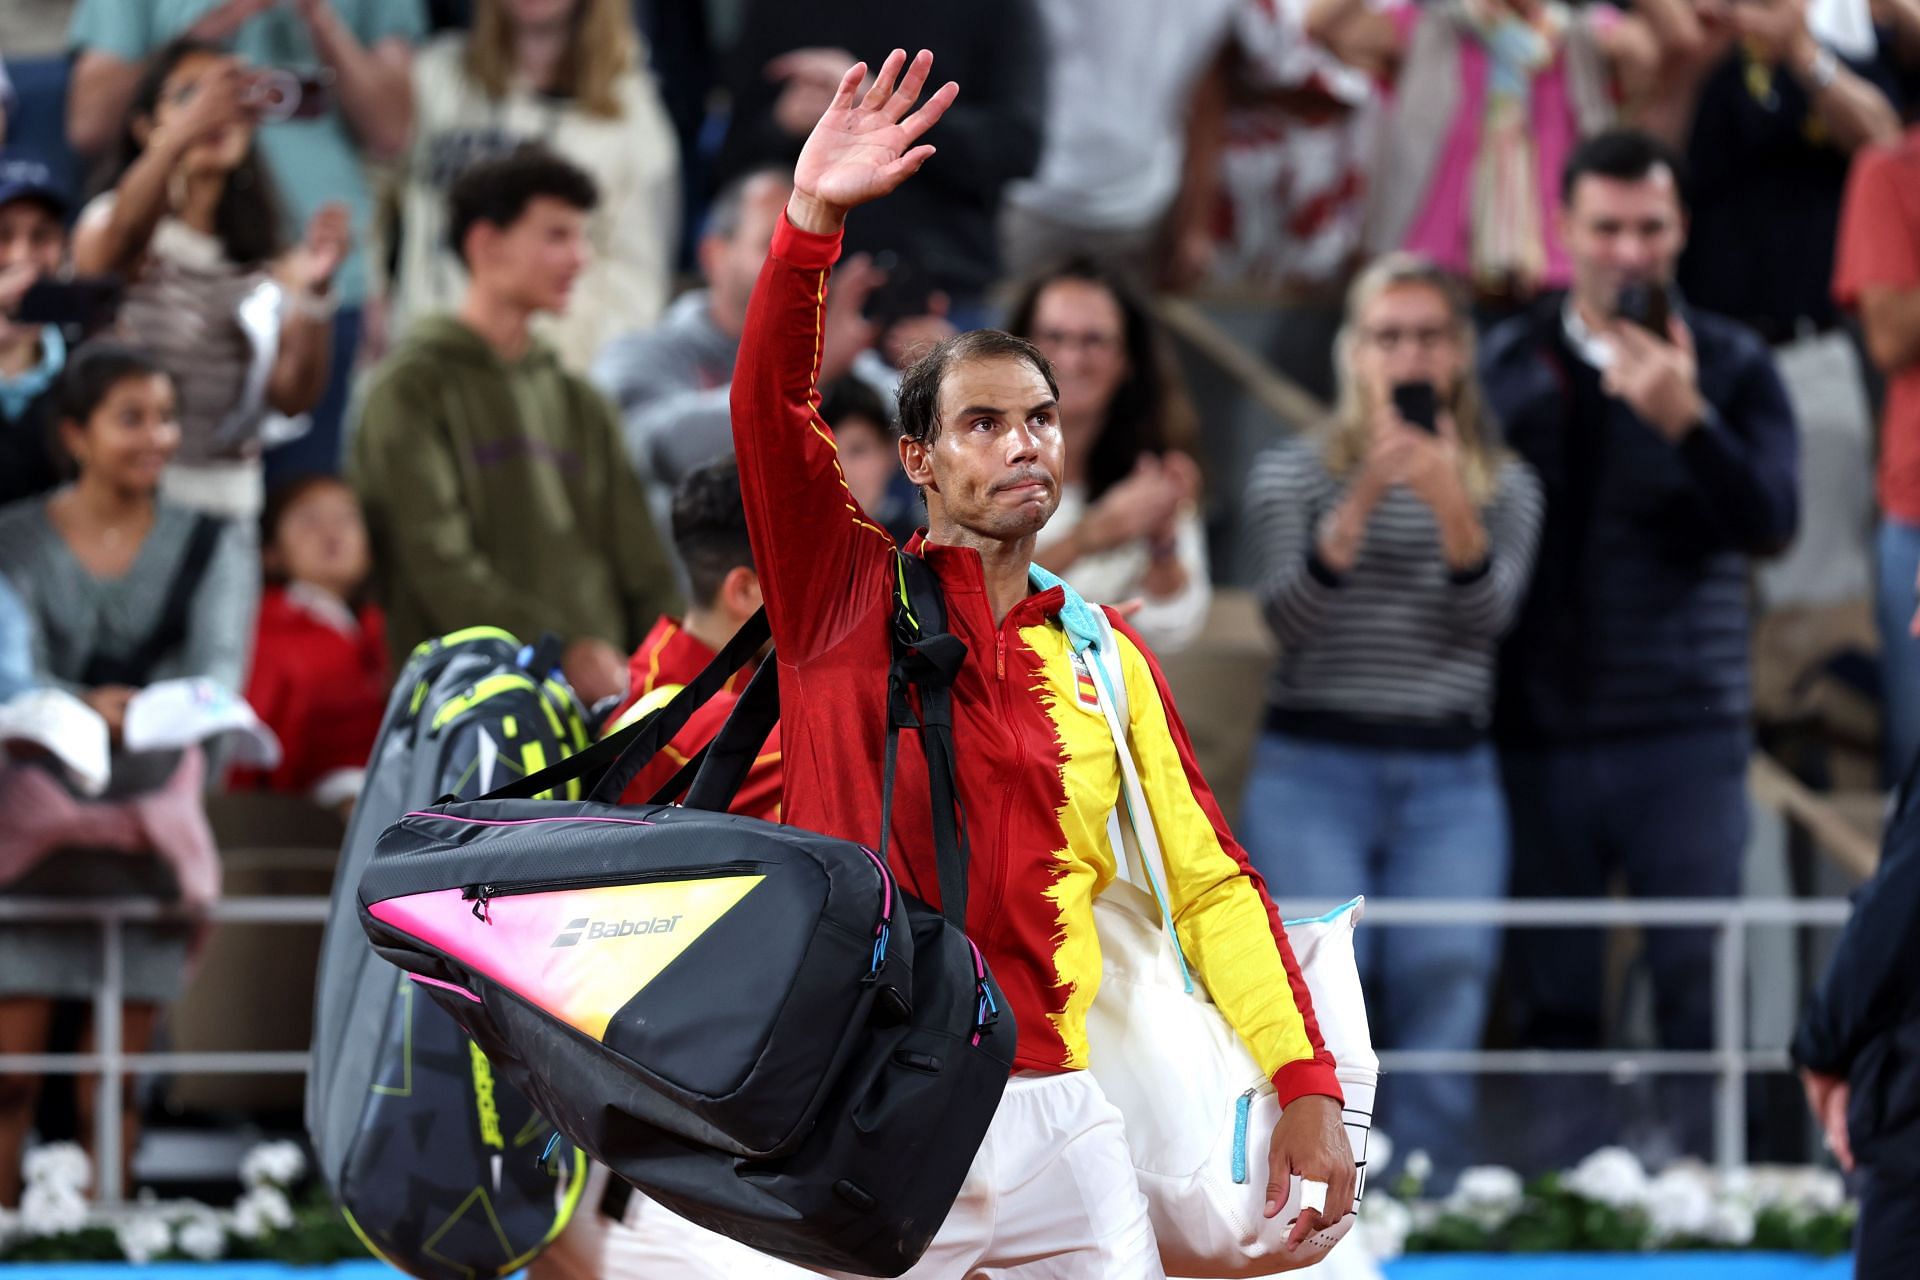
pixel 494 483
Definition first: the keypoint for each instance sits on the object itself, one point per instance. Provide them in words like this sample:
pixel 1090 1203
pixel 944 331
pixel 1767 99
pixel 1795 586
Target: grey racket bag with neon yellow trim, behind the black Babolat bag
pixel 435 1158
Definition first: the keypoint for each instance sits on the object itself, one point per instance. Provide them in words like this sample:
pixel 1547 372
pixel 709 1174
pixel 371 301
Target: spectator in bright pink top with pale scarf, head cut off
pixel 1489 99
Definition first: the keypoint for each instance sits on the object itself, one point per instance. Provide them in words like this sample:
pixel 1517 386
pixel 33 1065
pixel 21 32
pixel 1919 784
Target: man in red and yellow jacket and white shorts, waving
pixel 1053 1191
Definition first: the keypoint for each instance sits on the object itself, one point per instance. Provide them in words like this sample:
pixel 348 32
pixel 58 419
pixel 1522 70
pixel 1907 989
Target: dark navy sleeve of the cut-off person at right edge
pixel 1869 984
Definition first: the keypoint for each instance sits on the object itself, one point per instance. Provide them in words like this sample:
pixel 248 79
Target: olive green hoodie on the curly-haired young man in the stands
pixel 498 494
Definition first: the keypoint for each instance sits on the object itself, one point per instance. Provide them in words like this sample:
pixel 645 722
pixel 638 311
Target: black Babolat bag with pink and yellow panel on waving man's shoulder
pixel 748 1022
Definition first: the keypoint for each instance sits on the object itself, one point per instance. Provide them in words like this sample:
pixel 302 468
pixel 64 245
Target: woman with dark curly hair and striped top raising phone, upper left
pixel 193 224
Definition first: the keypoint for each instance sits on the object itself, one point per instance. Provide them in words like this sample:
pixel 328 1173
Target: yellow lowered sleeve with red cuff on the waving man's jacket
pixel 1226 920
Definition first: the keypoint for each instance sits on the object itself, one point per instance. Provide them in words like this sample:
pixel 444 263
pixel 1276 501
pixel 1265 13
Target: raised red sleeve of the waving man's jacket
pixel 813 546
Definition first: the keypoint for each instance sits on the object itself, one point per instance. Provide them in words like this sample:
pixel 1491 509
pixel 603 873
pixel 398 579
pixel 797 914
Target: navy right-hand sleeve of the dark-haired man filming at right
pixel 1746 460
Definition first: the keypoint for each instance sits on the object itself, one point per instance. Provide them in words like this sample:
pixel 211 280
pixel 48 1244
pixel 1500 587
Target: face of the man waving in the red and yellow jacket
pixel 994 469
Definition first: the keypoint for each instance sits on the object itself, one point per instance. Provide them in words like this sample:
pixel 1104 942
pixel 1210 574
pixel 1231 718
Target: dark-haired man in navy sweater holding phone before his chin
pixel 1669 465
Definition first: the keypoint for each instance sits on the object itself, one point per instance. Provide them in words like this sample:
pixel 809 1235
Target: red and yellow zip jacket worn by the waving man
pixel 1038 767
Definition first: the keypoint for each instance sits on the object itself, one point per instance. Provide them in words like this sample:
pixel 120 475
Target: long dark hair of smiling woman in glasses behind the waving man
pixel 1151 412
